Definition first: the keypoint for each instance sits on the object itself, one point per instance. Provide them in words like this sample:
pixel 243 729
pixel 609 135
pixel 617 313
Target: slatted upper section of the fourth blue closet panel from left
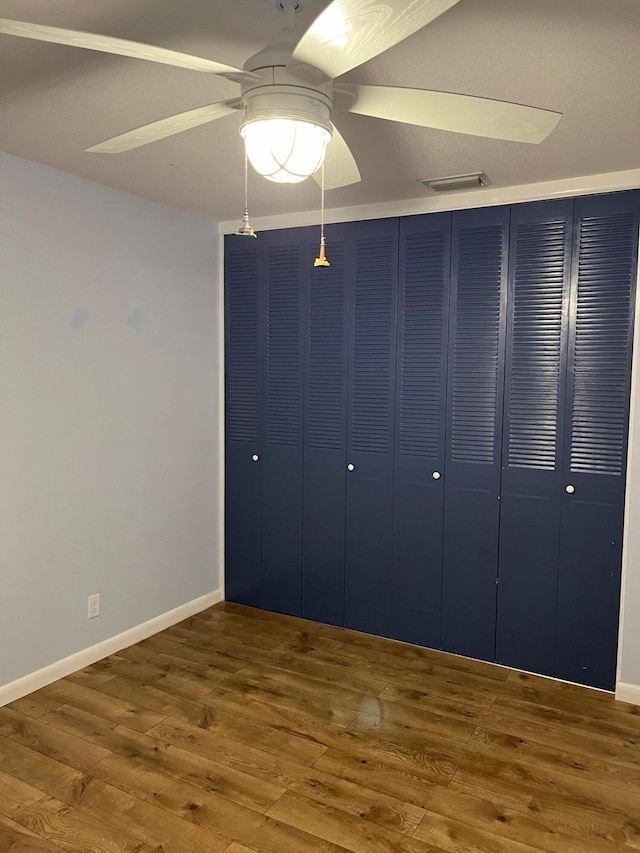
pixel 372 402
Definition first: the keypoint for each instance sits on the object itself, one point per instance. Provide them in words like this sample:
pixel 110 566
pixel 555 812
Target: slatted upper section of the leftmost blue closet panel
pixel 243 347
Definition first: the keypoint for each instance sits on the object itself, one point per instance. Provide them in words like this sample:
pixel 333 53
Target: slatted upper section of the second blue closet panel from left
pixel 283 355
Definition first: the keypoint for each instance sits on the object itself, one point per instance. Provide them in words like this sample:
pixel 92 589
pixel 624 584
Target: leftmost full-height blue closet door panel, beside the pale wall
pixel 244 308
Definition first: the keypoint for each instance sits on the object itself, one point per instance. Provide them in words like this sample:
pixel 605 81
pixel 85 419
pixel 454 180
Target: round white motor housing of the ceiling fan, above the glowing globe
pixel 279 93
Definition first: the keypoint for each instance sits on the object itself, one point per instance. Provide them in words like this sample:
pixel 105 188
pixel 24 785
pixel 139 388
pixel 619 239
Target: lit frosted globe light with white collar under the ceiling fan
pixel 286 131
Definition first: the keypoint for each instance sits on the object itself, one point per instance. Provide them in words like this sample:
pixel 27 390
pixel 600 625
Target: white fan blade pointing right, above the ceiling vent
pixel 457 113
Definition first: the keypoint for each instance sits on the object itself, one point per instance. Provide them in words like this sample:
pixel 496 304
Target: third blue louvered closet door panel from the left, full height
pixel 325 415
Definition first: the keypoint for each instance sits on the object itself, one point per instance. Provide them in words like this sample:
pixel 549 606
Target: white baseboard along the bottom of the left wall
pixel 59 669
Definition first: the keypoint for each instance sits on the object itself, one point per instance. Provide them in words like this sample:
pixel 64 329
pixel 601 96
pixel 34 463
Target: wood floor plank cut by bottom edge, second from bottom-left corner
pixel 74 832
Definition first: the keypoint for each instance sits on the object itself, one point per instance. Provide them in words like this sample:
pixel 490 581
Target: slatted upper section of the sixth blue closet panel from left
pixel 476 345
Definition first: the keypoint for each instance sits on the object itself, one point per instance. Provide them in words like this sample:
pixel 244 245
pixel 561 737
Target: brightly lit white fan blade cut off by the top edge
pixel 349 32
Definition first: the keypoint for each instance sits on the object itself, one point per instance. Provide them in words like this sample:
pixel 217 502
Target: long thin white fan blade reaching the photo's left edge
pixel 121 47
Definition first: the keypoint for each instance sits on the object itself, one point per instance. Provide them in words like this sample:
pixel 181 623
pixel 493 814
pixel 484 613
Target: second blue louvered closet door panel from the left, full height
pixel 284 275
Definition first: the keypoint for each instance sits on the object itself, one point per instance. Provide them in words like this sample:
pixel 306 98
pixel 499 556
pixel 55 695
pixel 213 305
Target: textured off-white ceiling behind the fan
pixel 579 57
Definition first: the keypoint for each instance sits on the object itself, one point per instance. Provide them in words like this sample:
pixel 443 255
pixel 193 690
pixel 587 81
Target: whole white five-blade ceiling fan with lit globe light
pixel 288 90
